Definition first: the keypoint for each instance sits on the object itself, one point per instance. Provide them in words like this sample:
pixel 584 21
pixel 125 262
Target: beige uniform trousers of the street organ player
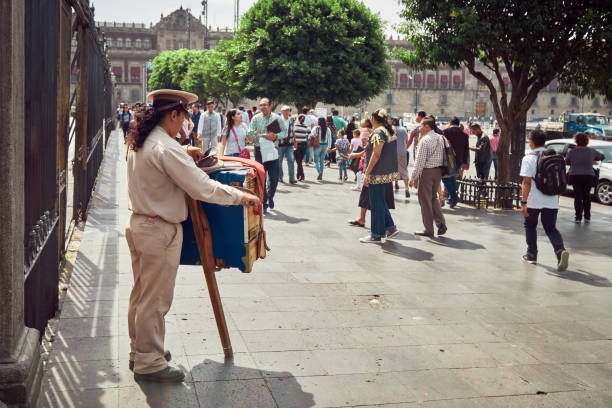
pixel 155 248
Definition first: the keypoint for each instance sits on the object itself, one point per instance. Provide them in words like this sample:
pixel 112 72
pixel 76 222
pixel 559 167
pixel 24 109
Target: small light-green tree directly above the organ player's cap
pixel 170 68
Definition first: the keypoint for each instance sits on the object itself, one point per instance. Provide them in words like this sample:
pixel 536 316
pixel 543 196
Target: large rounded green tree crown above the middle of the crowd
pixel 308 51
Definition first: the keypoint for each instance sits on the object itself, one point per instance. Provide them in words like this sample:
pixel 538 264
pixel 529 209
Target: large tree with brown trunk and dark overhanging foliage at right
pixel 530 42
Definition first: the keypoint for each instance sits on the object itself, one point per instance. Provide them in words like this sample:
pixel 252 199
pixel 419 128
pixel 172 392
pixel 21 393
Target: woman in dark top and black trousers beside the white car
pixel 582 175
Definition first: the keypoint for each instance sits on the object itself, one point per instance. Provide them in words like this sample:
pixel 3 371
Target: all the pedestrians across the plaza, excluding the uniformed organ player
pixel 376 149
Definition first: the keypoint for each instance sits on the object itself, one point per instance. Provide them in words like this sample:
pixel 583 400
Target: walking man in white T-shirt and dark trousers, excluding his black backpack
pixel 534 203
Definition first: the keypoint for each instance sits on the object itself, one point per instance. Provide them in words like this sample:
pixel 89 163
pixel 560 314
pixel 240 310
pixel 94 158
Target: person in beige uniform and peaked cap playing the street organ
pixel 160 172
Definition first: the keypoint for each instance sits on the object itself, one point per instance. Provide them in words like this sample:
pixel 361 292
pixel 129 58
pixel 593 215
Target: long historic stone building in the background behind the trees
pixel 442 92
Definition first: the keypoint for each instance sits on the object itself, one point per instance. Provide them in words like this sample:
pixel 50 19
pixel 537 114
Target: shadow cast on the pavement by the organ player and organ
pixel 227 385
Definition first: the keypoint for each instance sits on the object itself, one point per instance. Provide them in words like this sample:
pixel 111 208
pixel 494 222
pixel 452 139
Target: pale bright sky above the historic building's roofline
pixel 220 12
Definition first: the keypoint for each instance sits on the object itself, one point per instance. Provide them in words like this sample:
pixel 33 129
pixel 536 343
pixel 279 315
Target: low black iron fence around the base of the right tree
pixel 488 194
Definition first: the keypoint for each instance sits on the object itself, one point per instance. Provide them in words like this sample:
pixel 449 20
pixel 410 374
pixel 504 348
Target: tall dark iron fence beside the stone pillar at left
pixel 51 26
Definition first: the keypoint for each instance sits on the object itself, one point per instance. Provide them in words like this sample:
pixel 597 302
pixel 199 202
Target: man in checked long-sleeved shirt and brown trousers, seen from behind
pixel 428 170
